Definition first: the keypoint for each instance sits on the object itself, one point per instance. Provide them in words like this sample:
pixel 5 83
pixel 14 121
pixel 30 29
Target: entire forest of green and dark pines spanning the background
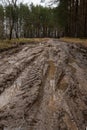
pixel 69 18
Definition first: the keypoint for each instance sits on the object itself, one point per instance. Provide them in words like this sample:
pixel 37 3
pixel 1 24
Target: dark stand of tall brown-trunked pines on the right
pixel 72 16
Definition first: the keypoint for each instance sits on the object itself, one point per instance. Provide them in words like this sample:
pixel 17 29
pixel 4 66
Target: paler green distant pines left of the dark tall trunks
pixel 27 21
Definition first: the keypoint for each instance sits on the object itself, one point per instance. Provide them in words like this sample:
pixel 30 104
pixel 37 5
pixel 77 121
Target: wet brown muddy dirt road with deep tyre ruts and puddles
pixel 43 86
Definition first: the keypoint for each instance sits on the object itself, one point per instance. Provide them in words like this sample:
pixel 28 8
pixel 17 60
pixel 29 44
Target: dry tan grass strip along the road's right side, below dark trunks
pixel 74 40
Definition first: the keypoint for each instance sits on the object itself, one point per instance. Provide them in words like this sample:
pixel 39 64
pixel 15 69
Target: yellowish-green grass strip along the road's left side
pixel 9 43
